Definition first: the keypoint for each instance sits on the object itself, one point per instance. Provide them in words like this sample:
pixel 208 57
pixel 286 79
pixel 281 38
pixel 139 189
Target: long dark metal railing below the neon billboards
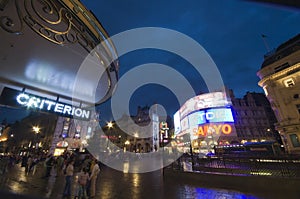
pixel 288 167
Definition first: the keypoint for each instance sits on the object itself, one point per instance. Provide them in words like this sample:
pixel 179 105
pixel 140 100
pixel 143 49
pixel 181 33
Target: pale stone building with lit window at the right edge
pixel 280 78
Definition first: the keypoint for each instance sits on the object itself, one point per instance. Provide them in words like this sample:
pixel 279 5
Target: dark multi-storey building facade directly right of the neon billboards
pixel 254 118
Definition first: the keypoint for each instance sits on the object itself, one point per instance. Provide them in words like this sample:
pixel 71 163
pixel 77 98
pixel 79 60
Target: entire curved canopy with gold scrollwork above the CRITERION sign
pixel 56 48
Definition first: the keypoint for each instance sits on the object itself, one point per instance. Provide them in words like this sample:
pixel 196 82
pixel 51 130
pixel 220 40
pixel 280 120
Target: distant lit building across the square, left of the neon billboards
pixel 137 133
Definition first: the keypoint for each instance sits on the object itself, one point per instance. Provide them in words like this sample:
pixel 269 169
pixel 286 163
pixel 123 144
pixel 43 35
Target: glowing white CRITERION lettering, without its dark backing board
pixel 42 104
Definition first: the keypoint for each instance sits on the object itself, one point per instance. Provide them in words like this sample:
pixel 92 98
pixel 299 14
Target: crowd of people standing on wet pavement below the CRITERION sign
pixel 79 172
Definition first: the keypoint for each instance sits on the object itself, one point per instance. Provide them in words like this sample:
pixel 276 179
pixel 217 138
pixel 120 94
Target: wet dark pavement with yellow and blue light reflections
pixel 113 184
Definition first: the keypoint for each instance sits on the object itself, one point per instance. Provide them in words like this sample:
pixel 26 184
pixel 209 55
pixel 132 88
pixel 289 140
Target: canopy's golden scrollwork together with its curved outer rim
pixel 61 22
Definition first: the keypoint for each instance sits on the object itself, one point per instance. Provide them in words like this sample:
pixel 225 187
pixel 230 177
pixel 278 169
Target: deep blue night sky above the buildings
pixel 230 31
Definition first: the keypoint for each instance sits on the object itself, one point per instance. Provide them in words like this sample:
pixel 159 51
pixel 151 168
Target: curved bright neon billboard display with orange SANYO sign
pixel 205 115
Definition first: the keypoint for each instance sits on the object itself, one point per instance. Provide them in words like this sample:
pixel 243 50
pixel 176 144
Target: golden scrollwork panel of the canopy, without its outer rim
pixel 50 19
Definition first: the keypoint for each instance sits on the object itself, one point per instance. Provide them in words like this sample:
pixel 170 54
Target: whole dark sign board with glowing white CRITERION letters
pixel 21 99
